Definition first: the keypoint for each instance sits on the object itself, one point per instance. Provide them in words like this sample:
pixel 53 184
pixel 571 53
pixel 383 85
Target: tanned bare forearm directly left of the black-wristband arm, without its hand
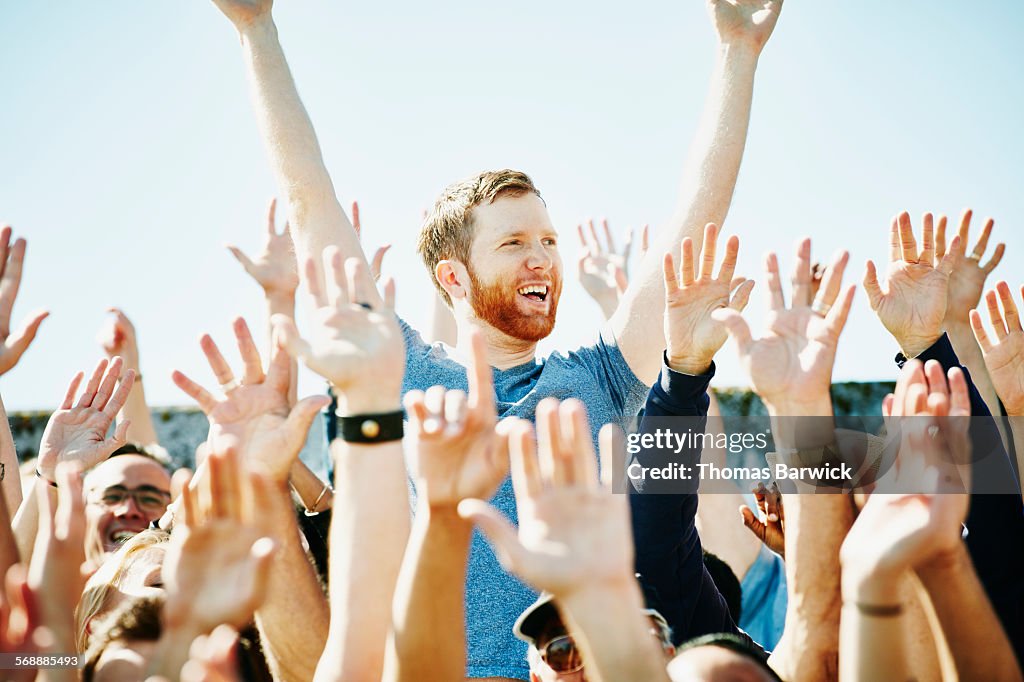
pixel 293 620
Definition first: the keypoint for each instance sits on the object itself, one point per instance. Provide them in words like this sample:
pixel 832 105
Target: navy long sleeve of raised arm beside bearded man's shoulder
pixel 669 556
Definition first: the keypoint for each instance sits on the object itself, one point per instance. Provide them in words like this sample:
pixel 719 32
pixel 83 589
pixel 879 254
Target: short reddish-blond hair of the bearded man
pixel 448 231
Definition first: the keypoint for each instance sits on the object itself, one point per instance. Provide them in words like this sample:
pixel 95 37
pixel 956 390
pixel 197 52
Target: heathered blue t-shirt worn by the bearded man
pixel 596 375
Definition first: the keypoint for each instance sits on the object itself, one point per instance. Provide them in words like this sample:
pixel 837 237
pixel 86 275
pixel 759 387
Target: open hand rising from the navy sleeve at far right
pixel 913 305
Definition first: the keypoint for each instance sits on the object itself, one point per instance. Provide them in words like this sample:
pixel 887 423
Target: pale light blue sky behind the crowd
pixel 131 154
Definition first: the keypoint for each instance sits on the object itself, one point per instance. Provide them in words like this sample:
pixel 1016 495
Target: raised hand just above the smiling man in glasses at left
pixel 77 432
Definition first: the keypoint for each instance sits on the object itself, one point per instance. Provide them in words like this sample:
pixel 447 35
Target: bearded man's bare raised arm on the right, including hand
pixel 743 28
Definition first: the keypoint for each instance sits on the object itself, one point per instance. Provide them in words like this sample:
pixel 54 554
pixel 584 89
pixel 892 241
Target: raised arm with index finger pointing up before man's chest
pixel 454 454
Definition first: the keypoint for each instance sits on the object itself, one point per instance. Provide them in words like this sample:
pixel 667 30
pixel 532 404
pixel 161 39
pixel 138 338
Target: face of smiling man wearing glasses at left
pixel 122 496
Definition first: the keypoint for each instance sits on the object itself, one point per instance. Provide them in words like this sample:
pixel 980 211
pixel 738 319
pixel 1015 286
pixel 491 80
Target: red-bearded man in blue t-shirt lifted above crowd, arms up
pixel 492 249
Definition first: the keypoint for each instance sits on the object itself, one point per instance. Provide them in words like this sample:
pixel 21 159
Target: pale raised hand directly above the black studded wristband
pixel 355 346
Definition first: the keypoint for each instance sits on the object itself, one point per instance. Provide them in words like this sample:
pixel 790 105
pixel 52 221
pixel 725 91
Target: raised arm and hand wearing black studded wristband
pixel 358 348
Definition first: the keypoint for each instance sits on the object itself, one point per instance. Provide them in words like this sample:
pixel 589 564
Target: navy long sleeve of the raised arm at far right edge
pixel 995 523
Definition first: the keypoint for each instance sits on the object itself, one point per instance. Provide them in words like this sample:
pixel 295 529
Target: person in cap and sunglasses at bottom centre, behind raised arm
pixel 553 655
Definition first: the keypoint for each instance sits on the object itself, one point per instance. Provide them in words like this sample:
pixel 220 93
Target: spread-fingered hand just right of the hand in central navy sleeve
pixel 791 367
